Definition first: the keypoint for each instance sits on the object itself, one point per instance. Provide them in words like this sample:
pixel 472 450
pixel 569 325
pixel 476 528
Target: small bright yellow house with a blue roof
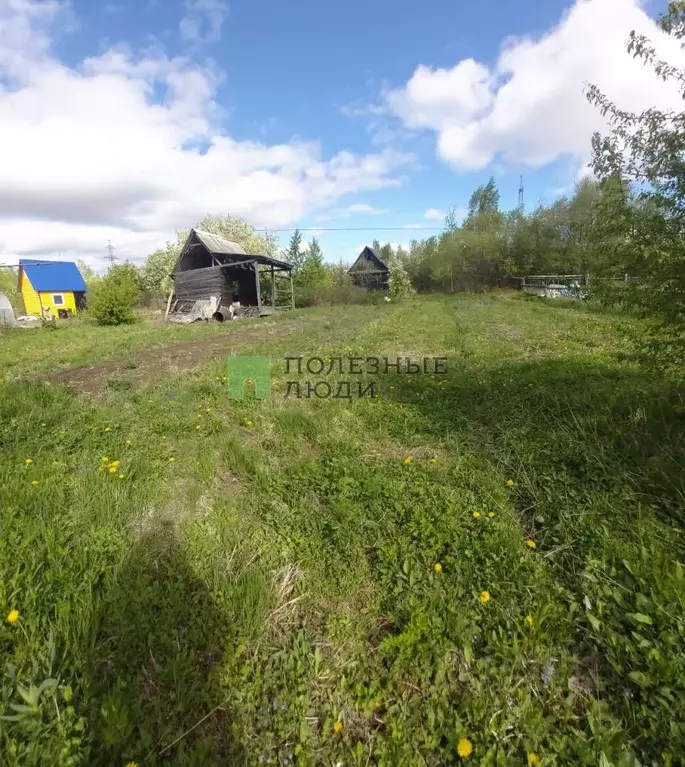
pixel 51 288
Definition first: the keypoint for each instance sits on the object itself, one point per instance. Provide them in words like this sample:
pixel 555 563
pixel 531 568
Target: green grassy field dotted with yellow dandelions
pixel 480 567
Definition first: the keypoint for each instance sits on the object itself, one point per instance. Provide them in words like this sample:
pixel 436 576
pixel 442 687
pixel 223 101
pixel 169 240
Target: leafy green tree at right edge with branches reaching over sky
pixel 642 223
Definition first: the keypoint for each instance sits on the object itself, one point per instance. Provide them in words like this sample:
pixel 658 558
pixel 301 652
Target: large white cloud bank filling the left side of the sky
pixel 128 147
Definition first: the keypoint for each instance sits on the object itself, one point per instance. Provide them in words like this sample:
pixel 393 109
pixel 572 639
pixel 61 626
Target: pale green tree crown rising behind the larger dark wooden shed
pixel 155 275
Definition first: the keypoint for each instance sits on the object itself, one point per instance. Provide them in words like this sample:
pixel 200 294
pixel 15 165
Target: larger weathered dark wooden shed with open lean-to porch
pixel 214 278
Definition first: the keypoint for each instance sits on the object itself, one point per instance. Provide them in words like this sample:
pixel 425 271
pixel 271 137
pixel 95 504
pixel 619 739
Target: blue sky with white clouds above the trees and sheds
pixel 135 118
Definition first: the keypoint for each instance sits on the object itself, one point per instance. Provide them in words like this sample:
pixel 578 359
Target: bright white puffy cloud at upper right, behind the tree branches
pixel 529 107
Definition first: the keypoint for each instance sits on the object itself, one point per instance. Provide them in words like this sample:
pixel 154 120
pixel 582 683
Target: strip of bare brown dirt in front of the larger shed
pixel 141 366
